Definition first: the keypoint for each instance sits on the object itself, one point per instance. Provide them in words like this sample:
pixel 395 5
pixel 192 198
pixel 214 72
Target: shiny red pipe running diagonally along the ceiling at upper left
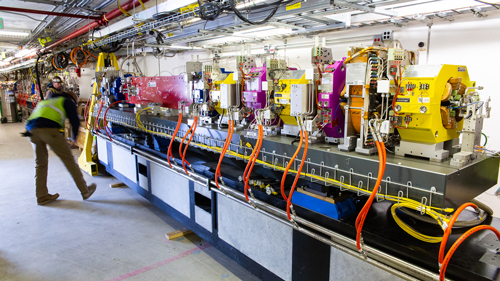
pixel 102 21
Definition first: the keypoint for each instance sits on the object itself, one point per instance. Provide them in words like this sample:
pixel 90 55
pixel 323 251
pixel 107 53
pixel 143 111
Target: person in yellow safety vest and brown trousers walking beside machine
pixel 43 126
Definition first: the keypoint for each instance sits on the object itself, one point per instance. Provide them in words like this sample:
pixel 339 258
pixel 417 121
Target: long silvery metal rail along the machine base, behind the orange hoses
pixel 373 256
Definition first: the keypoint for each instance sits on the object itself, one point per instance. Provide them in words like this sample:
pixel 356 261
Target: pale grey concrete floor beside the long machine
pixel 115 235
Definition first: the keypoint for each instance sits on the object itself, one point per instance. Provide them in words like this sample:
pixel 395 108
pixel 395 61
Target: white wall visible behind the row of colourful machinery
pixel 467 40
